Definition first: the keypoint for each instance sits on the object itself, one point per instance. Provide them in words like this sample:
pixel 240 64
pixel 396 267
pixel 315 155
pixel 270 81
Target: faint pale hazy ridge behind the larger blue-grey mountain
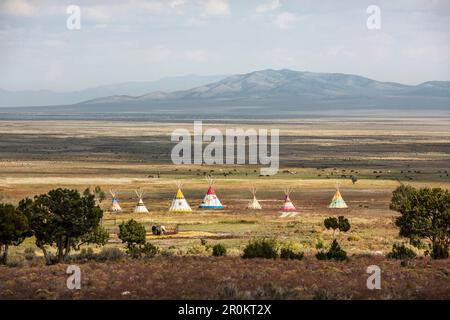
pixel 46 97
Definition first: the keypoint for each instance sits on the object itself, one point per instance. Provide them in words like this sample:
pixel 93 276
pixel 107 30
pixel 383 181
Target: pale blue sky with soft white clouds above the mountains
pixel 136 40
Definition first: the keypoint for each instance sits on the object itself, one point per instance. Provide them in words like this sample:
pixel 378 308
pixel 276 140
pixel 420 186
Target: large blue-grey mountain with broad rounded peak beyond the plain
pixel 269 92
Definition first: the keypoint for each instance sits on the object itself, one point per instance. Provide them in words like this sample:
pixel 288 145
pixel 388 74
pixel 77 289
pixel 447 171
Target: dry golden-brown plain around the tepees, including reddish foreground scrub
pixel 315 155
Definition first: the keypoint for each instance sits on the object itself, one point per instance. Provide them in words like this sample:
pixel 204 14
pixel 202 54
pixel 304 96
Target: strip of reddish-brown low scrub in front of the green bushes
pixel 199 277
